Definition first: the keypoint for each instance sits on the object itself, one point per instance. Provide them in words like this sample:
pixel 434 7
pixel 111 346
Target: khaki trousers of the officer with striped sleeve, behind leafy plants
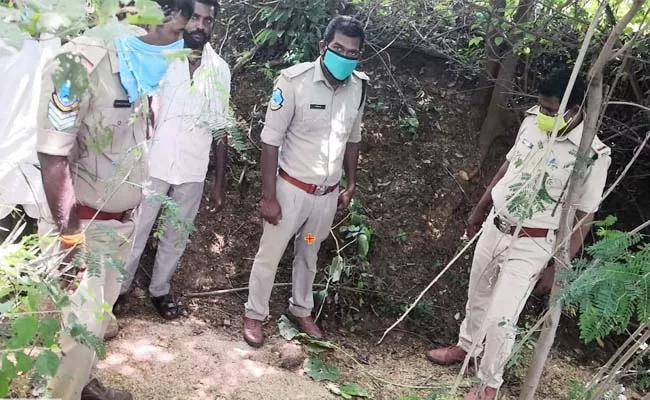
pixel 108 242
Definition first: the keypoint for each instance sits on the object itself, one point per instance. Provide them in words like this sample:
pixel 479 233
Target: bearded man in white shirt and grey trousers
pixel 191 114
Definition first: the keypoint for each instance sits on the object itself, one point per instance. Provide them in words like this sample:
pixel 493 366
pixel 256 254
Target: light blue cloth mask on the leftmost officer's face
pixel 142 65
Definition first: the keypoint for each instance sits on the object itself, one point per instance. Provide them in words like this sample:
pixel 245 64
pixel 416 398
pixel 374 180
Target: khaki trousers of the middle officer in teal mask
pixel 302 214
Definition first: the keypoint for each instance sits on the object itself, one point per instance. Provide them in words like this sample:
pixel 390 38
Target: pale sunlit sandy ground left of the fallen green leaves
pixel 188 360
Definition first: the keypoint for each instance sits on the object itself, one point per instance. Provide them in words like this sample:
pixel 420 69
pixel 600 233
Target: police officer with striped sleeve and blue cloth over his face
pixel 93 159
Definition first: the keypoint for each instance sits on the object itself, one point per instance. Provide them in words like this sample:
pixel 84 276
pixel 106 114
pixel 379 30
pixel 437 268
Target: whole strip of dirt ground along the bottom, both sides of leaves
pixel 189 359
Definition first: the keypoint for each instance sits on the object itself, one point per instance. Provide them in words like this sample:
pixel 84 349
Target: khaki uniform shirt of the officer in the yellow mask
pixel 527 155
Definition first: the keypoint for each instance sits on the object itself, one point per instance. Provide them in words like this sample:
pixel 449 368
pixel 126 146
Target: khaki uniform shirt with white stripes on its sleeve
pixel 102 134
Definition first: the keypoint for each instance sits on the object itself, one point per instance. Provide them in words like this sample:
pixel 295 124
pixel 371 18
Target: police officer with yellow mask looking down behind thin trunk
pixel 505 269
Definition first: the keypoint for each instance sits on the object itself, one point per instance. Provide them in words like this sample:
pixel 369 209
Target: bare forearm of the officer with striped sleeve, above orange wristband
pixel 57 182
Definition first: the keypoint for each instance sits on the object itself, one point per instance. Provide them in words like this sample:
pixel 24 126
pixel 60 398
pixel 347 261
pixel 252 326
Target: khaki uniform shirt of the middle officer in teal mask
pixel 312 123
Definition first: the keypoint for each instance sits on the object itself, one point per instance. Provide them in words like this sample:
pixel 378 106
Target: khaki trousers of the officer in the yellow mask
pixel 504 272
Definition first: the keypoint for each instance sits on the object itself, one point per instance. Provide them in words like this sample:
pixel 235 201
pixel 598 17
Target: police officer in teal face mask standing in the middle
pixel 313 123
